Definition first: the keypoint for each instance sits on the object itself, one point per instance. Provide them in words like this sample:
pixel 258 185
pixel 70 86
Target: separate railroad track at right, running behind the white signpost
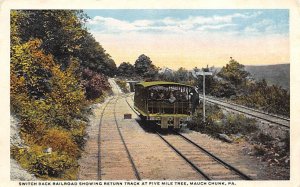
pixel 271 118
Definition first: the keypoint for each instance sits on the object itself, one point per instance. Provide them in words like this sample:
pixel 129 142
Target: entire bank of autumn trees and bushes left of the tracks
pixel 57 69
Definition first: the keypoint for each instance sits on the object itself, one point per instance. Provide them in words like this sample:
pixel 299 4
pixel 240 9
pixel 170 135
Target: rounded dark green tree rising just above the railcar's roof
pixel 144 67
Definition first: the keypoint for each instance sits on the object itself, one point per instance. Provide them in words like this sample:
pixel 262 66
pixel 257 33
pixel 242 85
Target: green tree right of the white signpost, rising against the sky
pixel 234 72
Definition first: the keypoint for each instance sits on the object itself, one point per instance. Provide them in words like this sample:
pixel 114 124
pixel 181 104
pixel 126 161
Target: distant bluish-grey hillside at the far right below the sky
pixel 274 74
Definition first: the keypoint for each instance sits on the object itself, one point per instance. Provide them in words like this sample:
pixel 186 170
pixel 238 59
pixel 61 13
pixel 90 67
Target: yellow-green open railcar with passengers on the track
pixel 169 104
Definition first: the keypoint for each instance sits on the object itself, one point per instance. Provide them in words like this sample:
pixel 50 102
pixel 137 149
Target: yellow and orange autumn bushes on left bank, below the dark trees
pixel 42 101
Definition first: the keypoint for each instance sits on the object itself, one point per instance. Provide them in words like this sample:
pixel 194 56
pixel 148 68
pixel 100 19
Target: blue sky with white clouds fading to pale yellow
pixel 193 37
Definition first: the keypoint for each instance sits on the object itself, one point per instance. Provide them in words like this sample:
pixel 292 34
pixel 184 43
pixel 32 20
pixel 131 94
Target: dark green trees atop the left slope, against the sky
pixel 64 36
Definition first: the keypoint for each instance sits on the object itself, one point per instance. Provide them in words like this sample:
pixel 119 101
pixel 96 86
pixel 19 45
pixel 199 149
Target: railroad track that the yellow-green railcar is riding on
pixel 208 165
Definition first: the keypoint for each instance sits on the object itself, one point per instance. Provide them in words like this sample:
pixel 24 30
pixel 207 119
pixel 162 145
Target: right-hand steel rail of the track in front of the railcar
pixel 240 173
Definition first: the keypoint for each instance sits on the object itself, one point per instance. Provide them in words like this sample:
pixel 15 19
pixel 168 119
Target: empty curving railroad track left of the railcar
pixel 114 158
